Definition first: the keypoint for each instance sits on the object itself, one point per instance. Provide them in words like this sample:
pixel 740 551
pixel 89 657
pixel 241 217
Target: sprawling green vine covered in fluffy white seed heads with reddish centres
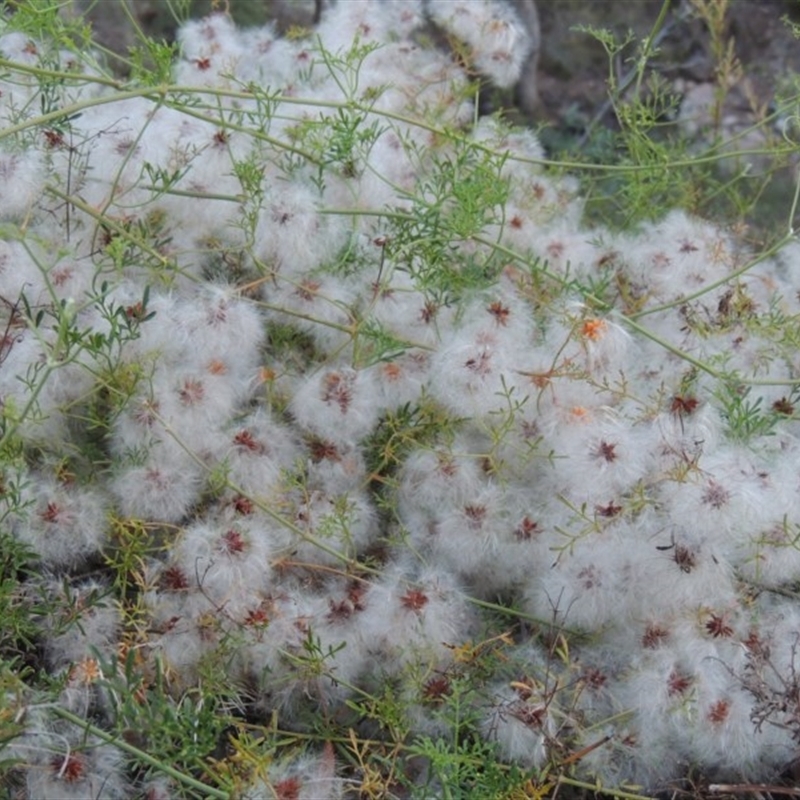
pixel 376 438
